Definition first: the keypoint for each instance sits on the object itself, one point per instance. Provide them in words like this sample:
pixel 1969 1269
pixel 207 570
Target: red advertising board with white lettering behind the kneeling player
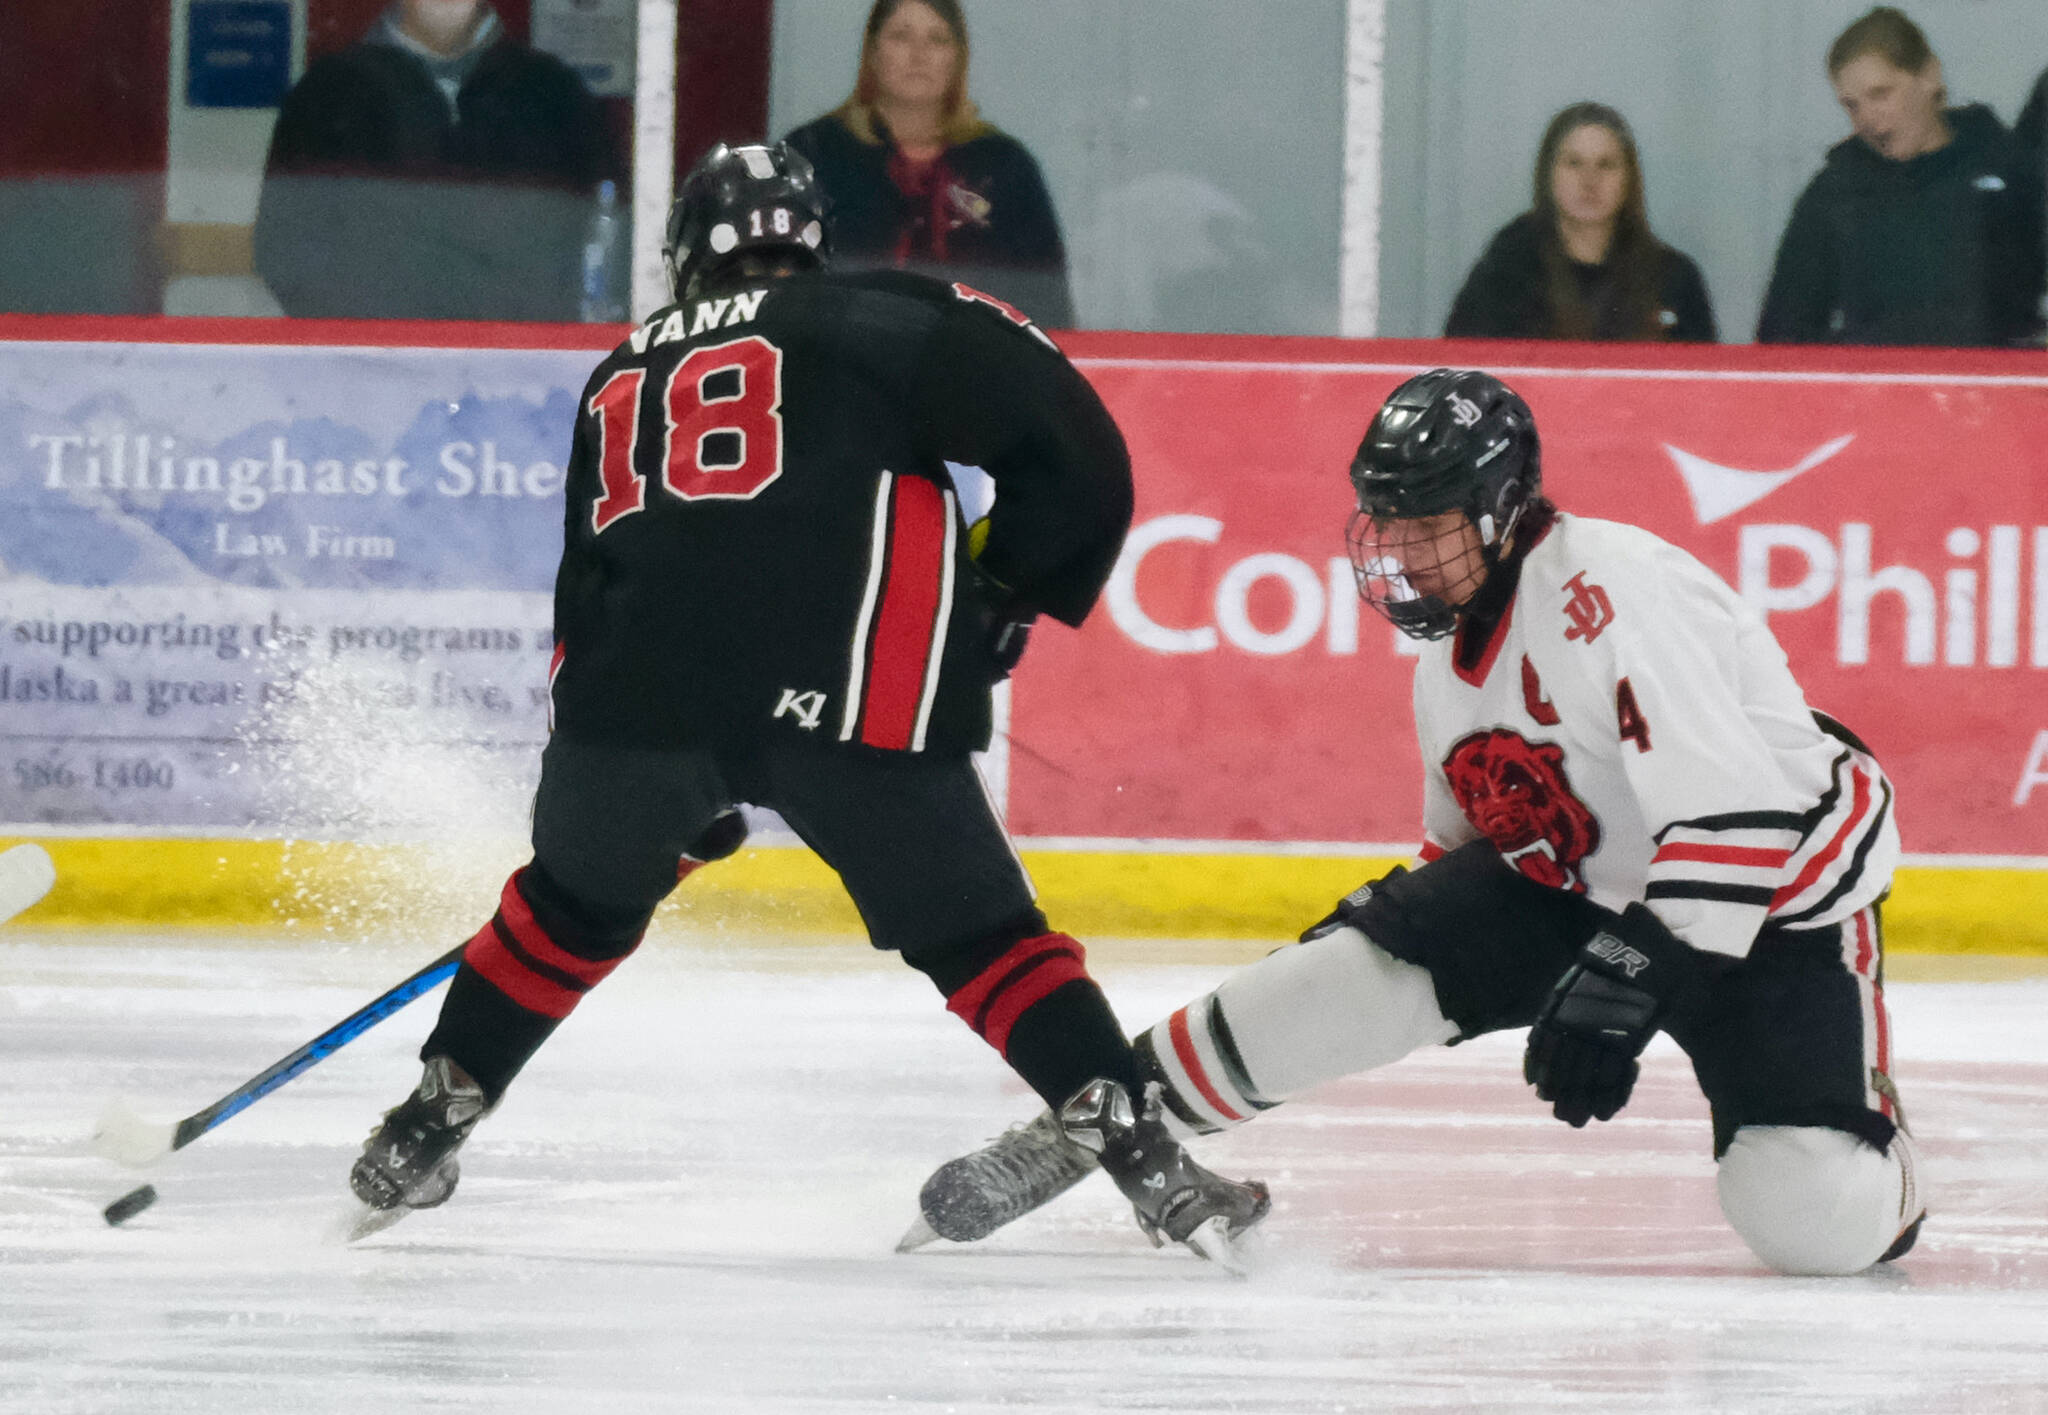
pixel 1889 513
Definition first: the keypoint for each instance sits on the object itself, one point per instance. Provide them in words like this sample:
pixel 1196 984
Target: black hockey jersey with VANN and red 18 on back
pixel 763 538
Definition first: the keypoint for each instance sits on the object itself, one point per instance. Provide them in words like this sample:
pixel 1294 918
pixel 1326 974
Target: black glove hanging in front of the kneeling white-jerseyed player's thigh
pixel 1627 980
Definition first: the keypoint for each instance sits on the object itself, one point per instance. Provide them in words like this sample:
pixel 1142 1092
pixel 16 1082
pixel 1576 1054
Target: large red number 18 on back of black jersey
pixel 724 429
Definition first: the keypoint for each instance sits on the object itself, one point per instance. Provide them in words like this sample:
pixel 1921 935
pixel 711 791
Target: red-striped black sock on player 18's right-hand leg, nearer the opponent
pixel 1033 1002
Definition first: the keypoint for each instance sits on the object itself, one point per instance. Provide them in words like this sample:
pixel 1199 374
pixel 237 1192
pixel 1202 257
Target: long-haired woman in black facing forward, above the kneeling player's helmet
pixel 1582 263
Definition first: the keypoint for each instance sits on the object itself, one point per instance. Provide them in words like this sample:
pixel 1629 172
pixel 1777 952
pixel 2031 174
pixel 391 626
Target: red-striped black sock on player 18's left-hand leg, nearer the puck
pixel 523 974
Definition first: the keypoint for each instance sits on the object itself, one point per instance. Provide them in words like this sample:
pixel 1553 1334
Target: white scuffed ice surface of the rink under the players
pixel 691 1197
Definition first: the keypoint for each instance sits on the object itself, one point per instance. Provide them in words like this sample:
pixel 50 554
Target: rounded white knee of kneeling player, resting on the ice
pixel 1814 1201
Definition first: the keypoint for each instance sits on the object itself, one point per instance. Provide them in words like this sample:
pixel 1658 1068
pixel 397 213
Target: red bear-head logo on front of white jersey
pixel 1514 791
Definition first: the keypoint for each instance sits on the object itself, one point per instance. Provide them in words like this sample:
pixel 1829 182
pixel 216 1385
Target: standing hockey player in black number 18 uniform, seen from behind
pixel 769 597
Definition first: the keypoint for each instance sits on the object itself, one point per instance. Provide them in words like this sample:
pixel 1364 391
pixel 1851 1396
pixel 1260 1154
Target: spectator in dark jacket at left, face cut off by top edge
pixel 433 171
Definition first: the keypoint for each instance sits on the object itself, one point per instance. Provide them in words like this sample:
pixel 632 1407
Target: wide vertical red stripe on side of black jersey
pixel 906 621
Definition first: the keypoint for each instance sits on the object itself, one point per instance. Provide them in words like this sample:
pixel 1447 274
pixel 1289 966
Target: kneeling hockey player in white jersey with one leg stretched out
pixel 1633 822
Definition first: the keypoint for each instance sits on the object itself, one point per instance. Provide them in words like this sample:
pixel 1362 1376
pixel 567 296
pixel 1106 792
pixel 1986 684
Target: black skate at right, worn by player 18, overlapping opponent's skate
pixel 1175 1197
